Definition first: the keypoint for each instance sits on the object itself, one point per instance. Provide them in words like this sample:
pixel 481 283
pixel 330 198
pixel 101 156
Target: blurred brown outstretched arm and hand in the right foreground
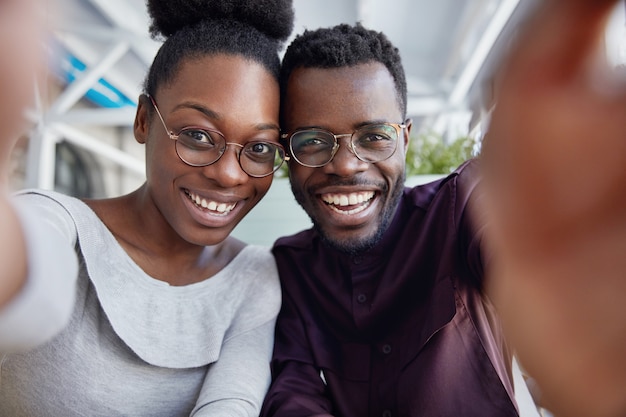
pixel 555 177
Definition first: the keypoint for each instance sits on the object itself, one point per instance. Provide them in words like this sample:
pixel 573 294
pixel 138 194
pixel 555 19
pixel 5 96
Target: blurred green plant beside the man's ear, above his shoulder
pixel 429 154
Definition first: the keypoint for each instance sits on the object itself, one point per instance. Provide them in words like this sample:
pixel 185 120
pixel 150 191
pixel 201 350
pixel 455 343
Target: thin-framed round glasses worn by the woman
pixel 201 146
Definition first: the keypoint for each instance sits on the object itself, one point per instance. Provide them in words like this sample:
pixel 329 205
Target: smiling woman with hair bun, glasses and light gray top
pixel 201 343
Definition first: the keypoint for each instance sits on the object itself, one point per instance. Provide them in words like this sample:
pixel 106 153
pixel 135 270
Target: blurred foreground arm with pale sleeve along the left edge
pixel 36 297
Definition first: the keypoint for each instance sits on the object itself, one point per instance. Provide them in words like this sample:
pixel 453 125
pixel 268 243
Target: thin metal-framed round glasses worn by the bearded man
pixel 315 148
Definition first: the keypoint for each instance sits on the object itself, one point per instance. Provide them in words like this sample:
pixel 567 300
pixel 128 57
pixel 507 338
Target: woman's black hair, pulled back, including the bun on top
pixel 254 29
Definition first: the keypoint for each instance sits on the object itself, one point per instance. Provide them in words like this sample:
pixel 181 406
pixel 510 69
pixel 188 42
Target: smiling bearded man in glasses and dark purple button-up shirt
pixel 383 310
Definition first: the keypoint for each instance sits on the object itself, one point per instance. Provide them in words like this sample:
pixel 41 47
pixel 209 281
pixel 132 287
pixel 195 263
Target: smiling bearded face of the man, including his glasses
pixel 351 205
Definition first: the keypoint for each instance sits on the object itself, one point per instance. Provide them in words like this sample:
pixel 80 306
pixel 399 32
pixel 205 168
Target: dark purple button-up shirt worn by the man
pixel 402 330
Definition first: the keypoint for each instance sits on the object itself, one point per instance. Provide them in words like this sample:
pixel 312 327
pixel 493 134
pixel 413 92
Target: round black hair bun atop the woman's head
pixel 274 18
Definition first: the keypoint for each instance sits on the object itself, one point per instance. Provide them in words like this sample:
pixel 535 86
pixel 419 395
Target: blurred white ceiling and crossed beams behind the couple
pixel 446 45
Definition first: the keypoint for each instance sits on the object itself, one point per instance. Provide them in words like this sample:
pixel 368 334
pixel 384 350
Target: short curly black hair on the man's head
pixel 341 46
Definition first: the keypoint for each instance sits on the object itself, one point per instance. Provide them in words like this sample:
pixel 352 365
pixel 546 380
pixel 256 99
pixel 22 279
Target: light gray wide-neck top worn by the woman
pixel 136 346
